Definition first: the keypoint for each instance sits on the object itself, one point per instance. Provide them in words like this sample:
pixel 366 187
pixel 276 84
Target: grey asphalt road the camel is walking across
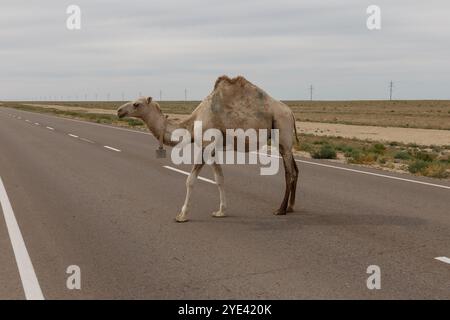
pixel 111 212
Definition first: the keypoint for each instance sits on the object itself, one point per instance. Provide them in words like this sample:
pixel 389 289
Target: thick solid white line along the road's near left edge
pixel 30 282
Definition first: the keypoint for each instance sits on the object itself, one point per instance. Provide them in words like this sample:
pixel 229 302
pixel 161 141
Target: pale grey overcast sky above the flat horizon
pixel 283 46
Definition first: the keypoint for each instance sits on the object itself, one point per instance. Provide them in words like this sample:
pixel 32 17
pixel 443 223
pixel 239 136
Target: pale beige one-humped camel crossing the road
pixel 233 104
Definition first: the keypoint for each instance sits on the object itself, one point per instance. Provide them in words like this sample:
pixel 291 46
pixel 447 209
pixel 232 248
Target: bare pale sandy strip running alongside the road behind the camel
pixel 388 134
